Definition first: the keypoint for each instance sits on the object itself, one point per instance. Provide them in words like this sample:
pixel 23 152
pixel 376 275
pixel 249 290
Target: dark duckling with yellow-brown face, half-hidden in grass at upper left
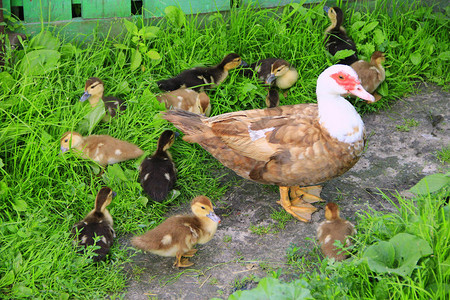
pixel 93 90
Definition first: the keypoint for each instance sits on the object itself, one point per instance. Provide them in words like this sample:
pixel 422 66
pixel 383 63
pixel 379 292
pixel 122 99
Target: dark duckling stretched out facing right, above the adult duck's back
pixel 202 77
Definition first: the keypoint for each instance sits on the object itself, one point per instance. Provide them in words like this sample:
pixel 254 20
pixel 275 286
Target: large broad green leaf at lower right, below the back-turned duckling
pixel 398 256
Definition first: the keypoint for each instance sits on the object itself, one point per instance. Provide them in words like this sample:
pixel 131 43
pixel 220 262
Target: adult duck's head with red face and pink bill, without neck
pixel 341 80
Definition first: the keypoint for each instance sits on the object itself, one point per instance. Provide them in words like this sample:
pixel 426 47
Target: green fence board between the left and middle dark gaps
pixel 34 10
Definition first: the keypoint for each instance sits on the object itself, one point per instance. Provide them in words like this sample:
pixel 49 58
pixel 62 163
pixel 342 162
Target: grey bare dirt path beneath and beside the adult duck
pixel 401 150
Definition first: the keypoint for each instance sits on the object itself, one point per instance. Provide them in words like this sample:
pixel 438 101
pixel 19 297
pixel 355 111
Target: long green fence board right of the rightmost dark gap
pixel 155 8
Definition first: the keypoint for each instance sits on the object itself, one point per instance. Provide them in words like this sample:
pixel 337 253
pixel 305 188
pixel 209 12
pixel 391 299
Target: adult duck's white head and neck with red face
pixel 336 114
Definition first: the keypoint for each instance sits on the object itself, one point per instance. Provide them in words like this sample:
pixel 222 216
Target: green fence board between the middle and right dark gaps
pixel 105 9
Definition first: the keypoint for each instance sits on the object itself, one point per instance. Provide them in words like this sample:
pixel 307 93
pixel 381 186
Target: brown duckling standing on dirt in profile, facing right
pixel 177 235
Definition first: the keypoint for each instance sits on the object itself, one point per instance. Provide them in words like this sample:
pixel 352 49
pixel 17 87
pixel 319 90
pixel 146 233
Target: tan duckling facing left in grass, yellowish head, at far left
pixel 103 149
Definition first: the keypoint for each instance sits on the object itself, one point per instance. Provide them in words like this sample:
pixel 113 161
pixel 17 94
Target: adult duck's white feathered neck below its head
pixel 339 118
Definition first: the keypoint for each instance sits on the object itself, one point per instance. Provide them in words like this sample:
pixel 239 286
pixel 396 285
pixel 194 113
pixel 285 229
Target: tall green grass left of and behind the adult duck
pixel 43 193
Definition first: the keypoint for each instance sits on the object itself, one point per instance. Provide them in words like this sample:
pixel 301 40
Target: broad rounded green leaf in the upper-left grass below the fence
pixel 39 62
